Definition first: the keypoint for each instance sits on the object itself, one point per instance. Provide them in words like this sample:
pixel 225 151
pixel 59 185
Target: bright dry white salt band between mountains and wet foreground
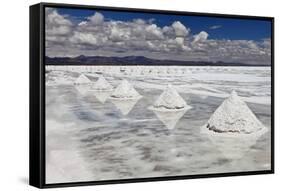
pixel 252 83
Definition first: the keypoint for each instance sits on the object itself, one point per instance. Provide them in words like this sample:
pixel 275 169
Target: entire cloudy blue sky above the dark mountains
pixel 74 32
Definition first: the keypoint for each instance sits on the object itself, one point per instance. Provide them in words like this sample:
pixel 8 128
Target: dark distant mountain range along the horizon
pixel 132 60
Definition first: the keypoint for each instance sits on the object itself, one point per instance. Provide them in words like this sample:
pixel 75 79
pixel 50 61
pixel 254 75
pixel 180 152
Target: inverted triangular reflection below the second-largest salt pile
pixel 170 118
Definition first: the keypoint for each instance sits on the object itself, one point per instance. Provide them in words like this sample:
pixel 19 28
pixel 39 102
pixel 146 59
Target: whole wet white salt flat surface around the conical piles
pixel 91 137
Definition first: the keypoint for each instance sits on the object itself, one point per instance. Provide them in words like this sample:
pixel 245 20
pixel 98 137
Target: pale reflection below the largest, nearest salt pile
pixel 233 145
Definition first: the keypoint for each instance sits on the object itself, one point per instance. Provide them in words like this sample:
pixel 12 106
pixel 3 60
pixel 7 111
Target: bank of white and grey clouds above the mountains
pixel 97 36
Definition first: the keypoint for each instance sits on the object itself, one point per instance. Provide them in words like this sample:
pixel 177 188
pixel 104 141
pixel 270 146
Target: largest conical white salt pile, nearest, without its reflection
pixel 234 116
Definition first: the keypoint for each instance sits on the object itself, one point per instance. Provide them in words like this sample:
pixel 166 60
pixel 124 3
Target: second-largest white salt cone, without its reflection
pixel 170 100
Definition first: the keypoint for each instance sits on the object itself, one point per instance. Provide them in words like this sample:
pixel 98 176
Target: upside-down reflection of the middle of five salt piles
pixel 125 106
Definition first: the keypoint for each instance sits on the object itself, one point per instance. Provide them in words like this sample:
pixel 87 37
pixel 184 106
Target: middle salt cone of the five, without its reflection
pixel 125 91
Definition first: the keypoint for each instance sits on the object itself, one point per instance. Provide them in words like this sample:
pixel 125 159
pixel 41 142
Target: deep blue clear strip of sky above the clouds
pixel 233 29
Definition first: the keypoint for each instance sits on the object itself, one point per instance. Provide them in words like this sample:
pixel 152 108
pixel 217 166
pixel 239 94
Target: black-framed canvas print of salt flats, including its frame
pixel 123 95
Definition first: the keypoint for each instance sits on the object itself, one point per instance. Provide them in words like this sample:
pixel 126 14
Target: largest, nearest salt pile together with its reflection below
pixel 233 128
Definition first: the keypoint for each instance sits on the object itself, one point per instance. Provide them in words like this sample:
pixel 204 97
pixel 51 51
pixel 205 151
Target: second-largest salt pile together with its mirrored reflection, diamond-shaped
pixel 170 107
